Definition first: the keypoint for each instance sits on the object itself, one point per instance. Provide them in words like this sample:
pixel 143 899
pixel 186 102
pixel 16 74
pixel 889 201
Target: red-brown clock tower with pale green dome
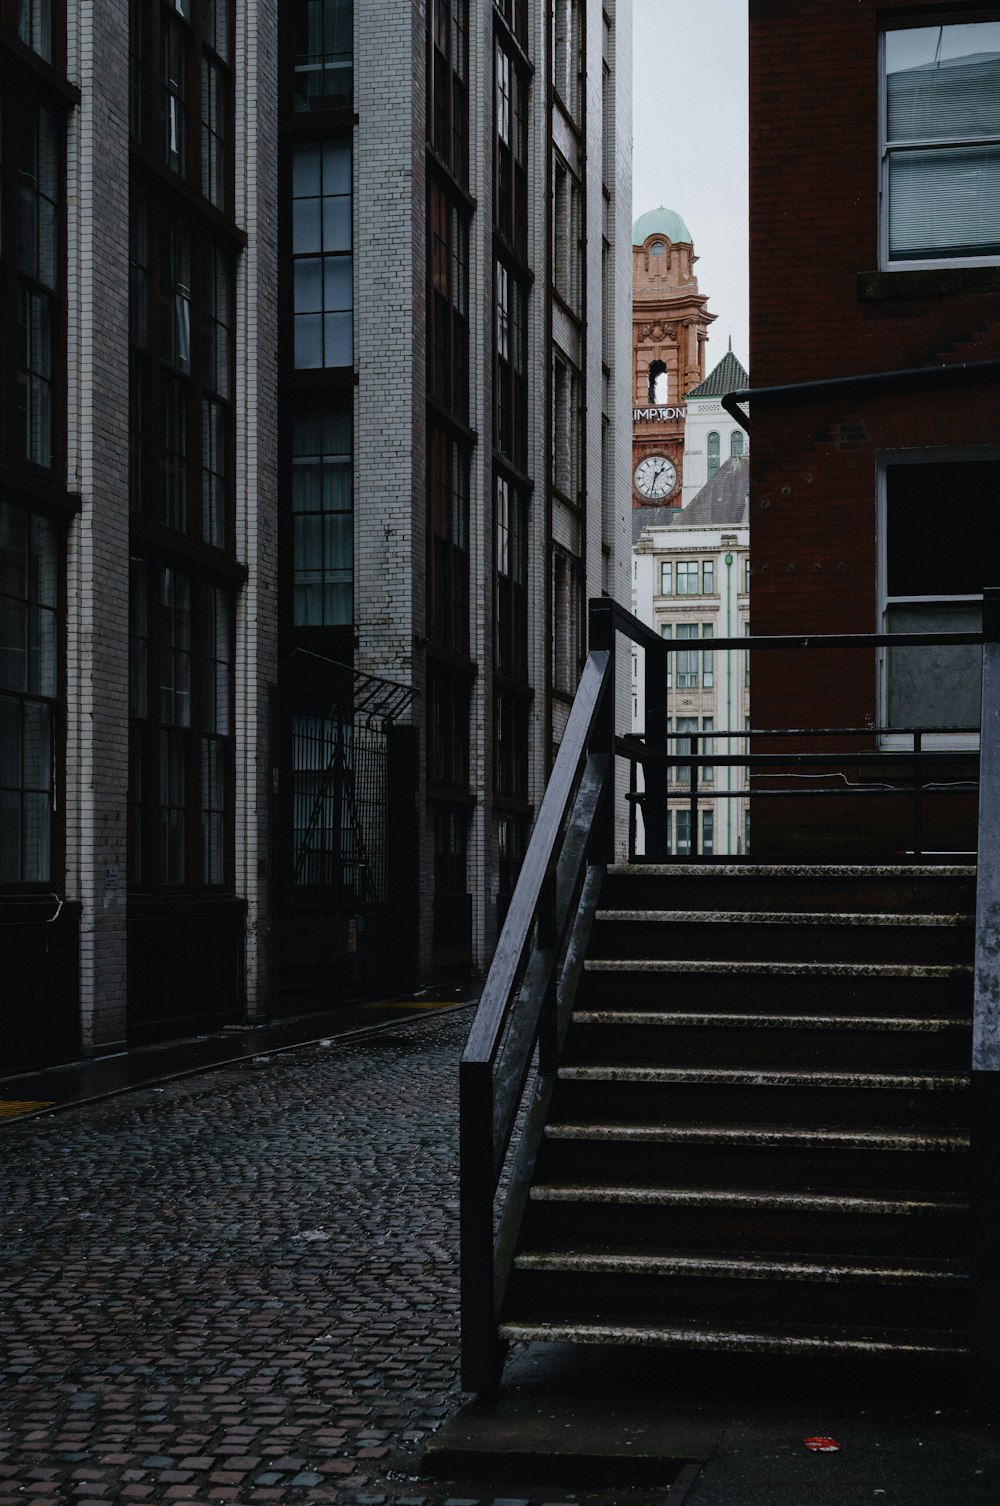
pixel 669 332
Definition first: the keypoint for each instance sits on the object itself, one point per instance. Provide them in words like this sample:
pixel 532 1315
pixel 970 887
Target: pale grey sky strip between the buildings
pixel 691 144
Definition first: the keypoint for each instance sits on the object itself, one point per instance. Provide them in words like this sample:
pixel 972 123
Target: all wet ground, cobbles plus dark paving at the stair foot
pixel 242 1285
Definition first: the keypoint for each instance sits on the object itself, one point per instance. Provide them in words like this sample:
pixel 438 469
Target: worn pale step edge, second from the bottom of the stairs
pixel 749 1269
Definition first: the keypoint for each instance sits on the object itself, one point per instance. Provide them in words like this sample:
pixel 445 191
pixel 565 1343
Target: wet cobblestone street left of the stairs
pixel 240 1287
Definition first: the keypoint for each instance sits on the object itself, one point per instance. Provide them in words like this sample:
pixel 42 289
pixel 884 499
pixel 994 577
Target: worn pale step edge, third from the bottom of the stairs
pixel 852 1204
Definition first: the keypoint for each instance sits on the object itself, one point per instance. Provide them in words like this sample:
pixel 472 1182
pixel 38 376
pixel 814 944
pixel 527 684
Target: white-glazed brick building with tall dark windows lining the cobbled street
pixel 316 427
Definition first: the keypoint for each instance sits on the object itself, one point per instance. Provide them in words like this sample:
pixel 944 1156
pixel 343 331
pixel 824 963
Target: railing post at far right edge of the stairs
pixel 986 1100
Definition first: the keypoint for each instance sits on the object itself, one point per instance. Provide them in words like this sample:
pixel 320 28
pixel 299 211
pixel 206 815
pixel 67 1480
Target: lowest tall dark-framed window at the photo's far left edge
pixel 29 647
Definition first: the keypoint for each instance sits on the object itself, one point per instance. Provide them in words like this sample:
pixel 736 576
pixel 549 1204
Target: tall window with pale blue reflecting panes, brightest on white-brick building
pixel 322 255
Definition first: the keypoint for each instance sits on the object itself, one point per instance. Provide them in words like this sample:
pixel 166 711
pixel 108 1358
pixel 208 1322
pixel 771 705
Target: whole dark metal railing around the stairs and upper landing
pixel 510 1065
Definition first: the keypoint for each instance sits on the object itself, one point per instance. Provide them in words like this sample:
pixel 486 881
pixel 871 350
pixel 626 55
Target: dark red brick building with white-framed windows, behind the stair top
pixel 876 278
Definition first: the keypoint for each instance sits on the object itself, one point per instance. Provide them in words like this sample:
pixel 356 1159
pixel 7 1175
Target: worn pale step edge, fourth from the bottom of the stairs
pixel 761 1136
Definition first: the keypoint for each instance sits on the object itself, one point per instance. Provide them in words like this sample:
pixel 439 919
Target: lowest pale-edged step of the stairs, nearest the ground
pixel 754 1341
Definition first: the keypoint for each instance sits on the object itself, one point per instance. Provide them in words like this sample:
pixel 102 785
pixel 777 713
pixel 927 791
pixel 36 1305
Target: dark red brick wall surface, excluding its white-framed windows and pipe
pixel 814 230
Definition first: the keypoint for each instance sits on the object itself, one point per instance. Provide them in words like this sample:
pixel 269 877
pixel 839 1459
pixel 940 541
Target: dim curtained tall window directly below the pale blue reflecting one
pixel 323 519
